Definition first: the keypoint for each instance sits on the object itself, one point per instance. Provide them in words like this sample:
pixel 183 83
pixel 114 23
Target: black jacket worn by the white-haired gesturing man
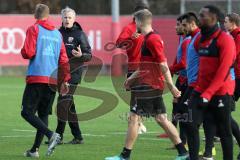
pixel 73 37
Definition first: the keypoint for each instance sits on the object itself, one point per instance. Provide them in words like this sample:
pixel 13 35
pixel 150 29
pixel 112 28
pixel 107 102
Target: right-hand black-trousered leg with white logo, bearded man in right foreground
pixel 222 115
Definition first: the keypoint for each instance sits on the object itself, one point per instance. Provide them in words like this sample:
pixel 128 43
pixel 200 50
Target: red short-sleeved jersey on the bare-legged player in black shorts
pixel 152 55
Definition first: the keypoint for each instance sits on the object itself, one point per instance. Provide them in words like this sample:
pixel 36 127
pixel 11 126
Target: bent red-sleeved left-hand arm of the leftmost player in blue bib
pixel 28 50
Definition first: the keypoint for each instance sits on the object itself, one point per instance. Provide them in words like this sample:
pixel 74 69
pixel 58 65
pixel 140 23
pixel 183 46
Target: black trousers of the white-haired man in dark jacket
pixel 66 111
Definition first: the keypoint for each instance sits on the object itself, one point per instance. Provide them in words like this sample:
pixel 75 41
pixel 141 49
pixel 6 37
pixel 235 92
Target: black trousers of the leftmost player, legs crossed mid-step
pixel 38 98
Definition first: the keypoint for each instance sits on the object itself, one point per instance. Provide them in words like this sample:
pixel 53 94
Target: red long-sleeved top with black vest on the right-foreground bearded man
pixel 217 55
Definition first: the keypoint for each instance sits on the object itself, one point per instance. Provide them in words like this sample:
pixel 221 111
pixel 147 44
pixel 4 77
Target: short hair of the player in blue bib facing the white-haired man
pixel 41 11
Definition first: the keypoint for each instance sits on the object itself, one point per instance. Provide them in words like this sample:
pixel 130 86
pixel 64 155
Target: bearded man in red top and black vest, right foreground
pixel 213 93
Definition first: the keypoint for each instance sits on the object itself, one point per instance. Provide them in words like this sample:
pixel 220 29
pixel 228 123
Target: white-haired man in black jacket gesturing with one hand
pixel 78 51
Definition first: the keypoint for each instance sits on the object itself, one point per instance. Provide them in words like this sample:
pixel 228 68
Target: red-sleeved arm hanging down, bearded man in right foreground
pixel 227 53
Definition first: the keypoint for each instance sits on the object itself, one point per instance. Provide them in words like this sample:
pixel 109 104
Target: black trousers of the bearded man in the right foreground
pixel 220 109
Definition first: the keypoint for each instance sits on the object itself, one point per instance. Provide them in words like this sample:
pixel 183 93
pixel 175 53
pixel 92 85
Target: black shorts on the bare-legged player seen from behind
pixel 149 101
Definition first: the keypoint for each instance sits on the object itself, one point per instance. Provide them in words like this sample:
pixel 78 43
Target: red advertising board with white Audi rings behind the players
pixel 98 28
